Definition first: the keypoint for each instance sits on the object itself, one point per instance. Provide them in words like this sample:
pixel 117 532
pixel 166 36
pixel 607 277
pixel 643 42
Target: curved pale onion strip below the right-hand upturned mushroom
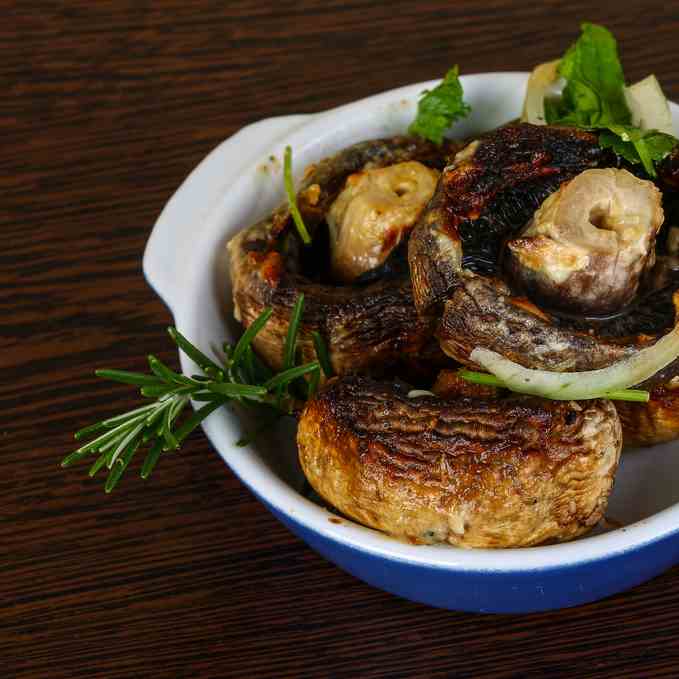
pixel 582 385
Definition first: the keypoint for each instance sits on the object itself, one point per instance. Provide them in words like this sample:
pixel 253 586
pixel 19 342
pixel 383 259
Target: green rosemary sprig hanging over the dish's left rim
pixel 243 379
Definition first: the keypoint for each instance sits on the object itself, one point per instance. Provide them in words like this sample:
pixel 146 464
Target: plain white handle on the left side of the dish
pixel 182 218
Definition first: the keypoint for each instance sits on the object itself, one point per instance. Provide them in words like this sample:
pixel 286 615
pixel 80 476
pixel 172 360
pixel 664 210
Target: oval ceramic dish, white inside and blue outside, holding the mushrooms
pixel 237 184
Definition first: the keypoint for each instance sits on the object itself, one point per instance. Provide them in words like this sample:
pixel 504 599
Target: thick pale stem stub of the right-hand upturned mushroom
pixel 589 244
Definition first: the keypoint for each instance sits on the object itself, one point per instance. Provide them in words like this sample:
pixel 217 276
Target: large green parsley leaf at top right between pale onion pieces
pixel 594 98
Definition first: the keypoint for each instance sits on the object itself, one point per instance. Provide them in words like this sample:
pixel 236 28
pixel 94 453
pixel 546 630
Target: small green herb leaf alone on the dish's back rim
pixel 439 108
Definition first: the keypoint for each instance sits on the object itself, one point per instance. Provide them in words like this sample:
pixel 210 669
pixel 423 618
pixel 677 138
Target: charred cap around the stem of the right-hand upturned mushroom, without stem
pixel 490 193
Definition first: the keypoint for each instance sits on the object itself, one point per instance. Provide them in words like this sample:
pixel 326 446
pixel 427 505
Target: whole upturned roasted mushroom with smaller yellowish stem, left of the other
pixel 359 206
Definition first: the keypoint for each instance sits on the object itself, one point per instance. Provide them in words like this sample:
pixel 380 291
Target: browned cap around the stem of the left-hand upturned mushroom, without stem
pixel 368 325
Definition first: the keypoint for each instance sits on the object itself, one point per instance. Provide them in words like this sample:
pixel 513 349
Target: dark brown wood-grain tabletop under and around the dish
pixel 106 106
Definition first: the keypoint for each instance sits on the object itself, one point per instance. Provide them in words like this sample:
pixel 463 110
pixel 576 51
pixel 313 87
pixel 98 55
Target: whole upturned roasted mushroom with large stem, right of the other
pixel 537 247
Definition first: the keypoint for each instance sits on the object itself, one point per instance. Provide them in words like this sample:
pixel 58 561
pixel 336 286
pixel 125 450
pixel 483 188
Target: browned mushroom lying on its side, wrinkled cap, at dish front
pixel 471 472
